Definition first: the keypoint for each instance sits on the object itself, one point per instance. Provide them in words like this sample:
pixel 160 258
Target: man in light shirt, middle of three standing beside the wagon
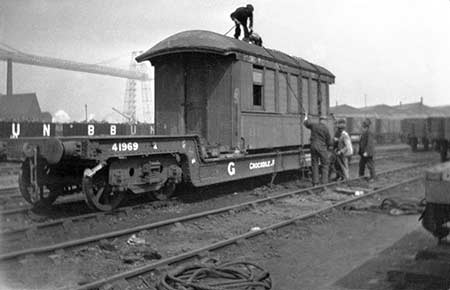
pixel 344 151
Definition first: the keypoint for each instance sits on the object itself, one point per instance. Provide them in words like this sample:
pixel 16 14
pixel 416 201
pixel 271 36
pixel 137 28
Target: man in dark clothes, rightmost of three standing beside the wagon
pixel 366 150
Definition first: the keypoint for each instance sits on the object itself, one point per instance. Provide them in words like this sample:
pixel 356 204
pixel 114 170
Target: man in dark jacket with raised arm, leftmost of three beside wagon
pixel 320 142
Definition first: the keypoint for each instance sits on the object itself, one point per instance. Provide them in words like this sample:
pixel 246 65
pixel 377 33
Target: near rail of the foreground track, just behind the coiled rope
pixel 194 253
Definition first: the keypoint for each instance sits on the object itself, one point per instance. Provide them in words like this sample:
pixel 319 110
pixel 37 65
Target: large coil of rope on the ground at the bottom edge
pixel 212 276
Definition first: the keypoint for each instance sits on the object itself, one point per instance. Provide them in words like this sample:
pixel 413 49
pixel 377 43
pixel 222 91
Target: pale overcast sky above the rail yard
pixel 382 52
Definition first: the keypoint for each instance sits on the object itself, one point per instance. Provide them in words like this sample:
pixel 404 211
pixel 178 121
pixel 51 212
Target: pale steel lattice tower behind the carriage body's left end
pixel 129 104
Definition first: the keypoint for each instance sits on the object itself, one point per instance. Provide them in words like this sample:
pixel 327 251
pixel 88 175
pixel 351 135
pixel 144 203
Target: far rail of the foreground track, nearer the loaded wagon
pixel 72 243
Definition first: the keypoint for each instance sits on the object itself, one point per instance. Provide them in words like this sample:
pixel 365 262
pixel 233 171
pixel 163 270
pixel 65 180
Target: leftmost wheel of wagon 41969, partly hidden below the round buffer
pixel 26 189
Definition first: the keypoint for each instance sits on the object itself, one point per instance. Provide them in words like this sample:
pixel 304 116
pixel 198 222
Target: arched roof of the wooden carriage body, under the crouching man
pixel 211 42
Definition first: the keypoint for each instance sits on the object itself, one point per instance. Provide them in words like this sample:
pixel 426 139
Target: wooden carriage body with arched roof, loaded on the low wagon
pixel 234 94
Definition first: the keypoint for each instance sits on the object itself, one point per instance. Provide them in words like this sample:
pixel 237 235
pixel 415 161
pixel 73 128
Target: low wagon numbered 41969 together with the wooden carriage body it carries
pixel 224 110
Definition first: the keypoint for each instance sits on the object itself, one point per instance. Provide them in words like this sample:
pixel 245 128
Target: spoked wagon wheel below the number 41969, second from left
pixel 99 194
